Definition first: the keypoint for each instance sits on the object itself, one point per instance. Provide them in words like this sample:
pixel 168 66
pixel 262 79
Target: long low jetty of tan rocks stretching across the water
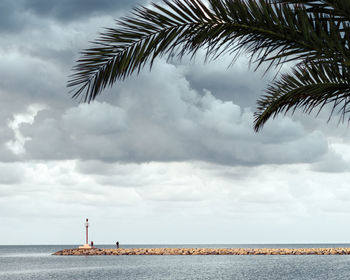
pixel 204 251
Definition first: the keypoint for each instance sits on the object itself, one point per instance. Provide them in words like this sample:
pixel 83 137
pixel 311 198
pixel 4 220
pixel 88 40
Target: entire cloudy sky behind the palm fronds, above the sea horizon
pixel 166 157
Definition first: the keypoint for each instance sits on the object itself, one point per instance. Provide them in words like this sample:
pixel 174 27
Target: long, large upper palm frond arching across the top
pixel 271 33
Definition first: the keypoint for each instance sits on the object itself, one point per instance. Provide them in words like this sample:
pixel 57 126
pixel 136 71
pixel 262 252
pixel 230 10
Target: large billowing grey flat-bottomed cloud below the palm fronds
pixel 155 120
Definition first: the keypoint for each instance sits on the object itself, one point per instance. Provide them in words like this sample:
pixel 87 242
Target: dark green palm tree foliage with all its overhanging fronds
pixel 313 35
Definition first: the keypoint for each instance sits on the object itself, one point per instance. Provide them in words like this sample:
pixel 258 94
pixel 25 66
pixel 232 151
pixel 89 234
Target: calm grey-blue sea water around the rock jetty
pixel 36 262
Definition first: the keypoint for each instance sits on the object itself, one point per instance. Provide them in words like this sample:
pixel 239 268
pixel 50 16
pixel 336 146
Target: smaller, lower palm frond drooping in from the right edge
pixel 308 87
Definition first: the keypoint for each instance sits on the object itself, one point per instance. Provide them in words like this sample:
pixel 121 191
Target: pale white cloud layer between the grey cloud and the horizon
pixel 177 203
